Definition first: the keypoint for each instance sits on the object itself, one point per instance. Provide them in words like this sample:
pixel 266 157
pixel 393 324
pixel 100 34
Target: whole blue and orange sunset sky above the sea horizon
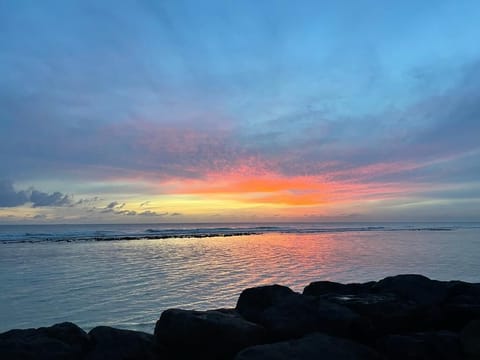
pixel 239 111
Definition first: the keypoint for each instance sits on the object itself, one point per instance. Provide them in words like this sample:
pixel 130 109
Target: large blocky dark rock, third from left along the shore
pixel 206 334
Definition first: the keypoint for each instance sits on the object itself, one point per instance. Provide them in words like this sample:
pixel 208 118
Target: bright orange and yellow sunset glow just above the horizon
pixel 250 191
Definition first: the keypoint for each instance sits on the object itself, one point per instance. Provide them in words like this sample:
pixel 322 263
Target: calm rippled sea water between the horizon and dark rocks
pixel 45 277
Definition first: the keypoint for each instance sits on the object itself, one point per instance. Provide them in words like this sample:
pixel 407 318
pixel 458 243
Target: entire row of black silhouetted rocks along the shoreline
pixel 399 317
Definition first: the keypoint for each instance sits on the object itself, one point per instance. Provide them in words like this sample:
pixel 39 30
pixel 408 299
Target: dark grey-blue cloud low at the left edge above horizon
pixel 9 197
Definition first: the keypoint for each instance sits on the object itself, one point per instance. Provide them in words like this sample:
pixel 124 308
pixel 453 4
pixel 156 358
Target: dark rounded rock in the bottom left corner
pixel 60 341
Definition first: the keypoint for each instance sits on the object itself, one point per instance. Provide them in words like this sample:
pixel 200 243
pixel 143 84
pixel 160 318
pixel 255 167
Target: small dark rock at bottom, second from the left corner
pixel 117 344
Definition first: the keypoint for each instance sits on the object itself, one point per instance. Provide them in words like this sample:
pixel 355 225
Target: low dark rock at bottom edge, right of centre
pixel 312 347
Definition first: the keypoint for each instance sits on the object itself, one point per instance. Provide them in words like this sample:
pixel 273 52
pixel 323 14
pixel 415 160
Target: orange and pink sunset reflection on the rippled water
pixel 235 263
